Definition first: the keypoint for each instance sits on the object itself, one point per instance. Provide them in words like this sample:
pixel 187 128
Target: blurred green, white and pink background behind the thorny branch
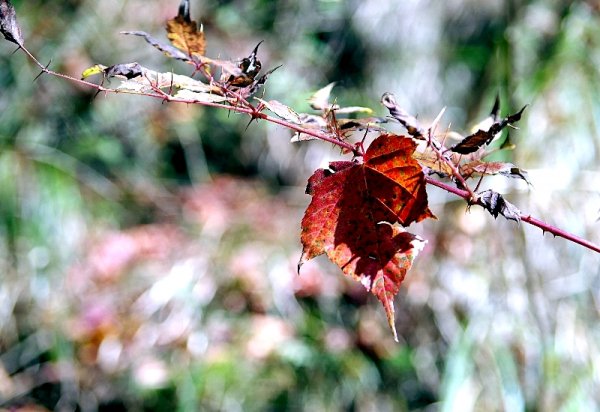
pixel 148 251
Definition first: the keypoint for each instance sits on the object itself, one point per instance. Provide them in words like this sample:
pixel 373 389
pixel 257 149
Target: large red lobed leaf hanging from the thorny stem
pixel 352 212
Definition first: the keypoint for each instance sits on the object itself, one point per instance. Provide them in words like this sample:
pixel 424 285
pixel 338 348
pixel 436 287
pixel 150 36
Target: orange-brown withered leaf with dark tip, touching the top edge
pixel 184 32
